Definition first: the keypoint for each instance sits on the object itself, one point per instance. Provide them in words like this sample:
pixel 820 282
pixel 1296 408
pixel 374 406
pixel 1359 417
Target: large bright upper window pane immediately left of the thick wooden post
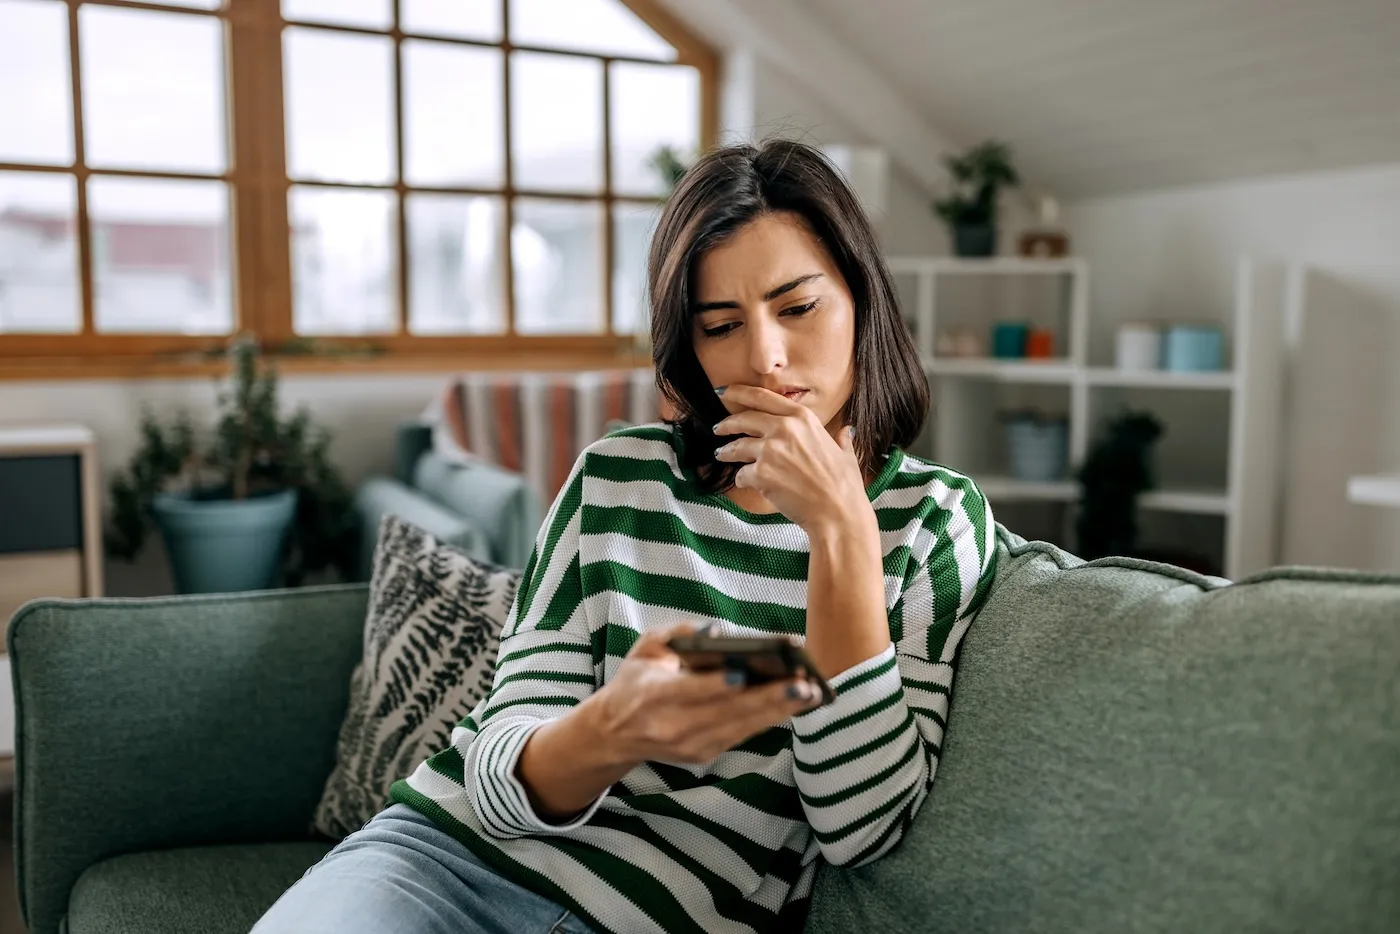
pixel 153 90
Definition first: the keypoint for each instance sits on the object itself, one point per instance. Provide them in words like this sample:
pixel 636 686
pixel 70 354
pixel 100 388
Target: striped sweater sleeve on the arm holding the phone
pixel 545 669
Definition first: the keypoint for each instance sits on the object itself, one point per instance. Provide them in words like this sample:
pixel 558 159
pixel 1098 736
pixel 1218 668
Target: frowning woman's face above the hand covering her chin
pixel 773 312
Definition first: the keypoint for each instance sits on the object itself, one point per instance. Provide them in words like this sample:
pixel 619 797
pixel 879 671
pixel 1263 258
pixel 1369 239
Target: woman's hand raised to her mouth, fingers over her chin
pixel 792 460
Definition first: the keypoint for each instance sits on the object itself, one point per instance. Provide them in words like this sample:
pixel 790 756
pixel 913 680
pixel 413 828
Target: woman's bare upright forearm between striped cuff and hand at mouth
pixel 846 617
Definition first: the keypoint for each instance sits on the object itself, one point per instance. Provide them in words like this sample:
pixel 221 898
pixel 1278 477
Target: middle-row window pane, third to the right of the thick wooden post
pixel 556 123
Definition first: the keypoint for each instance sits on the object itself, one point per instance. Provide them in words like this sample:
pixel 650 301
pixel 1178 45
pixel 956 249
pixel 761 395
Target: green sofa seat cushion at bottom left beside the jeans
pixel 212 890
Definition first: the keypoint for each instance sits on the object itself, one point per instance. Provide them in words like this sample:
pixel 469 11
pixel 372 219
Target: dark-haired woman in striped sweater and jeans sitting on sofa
pixel 604 786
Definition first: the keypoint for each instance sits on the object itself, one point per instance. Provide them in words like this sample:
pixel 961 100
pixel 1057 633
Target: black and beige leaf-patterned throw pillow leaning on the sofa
pixel 430 642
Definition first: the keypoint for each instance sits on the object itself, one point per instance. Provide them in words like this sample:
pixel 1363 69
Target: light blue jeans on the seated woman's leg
pixel 401 874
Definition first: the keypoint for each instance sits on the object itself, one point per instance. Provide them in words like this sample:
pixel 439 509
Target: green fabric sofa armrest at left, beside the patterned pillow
pixel 171 722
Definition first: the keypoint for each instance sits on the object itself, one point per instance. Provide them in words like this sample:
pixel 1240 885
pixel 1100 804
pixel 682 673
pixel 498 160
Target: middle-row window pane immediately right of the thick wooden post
pixel 339 96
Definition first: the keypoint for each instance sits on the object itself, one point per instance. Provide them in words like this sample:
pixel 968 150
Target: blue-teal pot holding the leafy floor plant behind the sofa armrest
pixel 222 547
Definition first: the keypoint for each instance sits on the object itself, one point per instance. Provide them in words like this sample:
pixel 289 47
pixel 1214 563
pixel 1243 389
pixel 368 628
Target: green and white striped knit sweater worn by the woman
pixel 733 845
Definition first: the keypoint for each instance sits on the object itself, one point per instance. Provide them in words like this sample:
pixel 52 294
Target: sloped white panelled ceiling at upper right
pixel 1111 96
